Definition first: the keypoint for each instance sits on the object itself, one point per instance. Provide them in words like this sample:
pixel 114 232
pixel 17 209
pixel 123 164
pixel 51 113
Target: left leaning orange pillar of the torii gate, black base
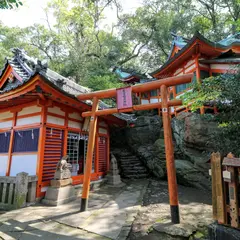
pixel 88 168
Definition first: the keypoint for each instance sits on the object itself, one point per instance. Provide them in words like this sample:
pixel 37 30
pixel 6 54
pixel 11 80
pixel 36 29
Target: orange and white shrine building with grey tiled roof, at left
pixel 40 122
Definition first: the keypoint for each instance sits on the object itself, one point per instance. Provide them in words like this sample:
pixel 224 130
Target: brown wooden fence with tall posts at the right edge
pixel 225 189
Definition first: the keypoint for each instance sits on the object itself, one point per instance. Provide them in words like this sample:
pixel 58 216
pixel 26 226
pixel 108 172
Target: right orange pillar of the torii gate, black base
pixel 171 171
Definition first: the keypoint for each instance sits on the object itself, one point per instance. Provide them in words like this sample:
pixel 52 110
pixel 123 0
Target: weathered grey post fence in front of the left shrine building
pixel 15 192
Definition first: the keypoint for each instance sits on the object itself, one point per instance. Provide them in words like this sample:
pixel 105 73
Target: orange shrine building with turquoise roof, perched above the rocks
pixel 197 55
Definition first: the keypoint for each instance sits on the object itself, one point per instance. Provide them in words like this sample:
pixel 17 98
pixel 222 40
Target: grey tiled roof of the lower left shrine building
pixel 26 67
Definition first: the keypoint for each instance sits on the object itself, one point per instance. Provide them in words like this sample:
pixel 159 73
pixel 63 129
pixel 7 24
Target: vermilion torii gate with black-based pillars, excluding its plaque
pixel 164 105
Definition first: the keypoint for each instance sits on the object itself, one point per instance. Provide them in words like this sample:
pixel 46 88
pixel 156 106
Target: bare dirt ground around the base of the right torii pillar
pixel 195 210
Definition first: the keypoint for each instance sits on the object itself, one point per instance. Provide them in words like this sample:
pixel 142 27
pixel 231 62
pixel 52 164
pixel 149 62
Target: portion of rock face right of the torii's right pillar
pixel 194 136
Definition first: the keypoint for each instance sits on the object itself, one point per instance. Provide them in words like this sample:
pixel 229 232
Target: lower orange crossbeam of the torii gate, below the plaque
pixel 110 111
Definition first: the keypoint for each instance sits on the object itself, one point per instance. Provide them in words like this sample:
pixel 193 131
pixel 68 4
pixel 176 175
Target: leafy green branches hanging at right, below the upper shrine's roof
pixel 223 92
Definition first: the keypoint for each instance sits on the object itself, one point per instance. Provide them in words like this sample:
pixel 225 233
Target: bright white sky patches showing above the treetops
pixel 32 12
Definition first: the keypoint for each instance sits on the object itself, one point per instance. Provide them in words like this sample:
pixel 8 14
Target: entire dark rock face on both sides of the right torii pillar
pixel 192 139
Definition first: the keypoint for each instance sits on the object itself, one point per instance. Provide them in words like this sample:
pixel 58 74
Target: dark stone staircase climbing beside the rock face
pixel 130 166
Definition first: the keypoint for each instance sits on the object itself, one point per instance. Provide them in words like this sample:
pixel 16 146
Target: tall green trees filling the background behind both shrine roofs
pixel 81 45
